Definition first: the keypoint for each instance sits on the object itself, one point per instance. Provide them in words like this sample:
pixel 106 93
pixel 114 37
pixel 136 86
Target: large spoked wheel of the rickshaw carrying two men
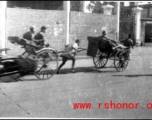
pixel 47 64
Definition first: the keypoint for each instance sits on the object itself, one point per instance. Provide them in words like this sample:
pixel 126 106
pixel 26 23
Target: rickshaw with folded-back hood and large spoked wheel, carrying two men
pixel 45 58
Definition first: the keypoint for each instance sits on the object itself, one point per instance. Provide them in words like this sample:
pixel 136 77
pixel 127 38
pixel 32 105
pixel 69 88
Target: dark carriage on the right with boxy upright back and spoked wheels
pixel 102 50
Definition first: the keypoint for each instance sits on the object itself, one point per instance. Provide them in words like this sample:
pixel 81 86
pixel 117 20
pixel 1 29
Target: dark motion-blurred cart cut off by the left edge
pixel 14 65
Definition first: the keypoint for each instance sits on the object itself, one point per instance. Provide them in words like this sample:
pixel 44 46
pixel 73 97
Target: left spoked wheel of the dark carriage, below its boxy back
pixel 100 60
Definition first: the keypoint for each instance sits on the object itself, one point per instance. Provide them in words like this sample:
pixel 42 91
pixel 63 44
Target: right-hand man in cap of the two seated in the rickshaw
pixel 40 37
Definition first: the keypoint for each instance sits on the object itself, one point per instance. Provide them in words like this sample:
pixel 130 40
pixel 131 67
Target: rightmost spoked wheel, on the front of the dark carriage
pixel 121 61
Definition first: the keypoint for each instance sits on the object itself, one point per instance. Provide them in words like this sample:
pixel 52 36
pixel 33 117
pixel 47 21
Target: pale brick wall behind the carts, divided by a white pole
pixel 81 26
